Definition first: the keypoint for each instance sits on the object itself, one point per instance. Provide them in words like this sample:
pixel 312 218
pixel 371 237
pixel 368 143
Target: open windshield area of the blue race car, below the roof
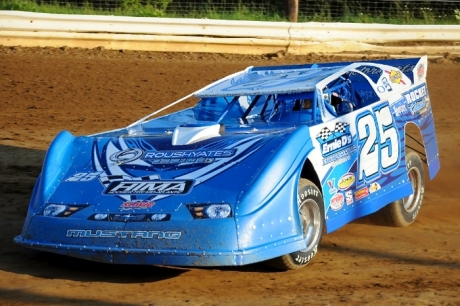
pixel 237 111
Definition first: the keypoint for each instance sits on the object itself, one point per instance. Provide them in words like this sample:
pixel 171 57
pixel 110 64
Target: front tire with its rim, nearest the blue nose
pixel 311 213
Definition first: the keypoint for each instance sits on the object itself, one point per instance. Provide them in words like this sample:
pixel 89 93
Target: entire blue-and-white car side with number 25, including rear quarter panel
pixel 360 156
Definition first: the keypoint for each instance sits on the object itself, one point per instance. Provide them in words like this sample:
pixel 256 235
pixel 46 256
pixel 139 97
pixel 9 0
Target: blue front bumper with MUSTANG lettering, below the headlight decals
pixel 206 243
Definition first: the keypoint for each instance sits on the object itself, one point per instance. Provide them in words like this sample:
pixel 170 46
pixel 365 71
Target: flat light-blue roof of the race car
pixel 269 80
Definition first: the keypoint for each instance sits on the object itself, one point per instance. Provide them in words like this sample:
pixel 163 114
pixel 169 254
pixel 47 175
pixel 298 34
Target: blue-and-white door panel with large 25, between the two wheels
pixel 360 162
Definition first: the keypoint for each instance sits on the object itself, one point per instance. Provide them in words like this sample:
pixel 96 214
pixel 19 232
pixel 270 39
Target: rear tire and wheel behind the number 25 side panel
pixel 404 211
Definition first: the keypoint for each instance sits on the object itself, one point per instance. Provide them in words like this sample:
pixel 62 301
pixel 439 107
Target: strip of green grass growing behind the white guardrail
pixel 350 11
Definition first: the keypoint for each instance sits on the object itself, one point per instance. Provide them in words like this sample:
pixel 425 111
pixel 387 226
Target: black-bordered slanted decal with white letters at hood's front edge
pixel 149 187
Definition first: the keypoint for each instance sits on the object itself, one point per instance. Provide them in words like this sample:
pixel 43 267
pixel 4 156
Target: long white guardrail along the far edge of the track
pixel 222 36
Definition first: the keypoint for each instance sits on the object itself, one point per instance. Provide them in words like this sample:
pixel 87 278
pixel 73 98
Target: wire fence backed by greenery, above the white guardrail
pixel 359 11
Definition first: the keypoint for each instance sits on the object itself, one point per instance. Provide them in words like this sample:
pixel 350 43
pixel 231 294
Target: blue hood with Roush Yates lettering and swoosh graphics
pixel 147 173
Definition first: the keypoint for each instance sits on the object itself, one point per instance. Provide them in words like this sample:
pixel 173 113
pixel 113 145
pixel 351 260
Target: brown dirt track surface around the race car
pixel 43 91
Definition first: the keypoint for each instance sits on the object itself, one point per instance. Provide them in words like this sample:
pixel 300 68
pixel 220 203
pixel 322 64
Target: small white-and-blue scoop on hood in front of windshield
pixel 194 132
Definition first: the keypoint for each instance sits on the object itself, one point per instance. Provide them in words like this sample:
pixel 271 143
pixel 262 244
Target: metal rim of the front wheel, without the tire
pixel 310 217
